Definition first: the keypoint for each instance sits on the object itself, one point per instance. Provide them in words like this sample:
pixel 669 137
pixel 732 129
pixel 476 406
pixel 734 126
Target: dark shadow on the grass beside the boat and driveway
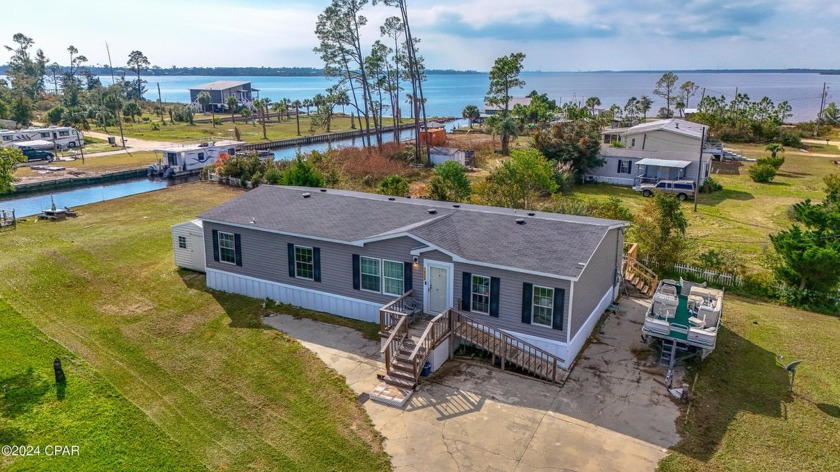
pixel 738 377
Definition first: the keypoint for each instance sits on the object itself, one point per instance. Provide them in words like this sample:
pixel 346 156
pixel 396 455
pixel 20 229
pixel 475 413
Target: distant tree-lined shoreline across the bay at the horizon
pixel 315 72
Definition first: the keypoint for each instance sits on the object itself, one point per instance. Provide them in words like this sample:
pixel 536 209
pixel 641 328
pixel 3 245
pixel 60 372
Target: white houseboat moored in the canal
pixel 191 158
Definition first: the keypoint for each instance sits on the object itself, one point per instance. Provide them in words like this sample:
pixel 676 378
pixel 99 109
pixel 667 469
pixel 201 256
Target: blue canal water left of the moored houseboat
pixel 29 204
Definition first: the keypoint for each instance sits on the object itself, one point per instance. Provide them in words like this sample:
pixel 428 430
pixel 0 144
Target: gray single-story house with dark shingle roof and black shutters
pixel 544 278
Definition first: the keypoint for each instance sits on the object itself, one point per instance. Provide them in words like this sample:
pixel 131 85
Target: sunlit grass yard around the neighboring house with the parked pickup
pixel 741 216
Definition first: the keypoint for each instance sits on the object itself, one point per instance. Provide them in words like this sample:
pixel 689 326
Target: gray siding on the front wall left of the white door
pixel 265 256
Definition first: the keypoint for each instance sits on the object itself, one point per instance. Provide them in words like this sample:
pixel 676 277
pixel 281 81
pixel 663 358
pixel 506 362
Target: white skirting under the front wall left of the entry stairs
pixel 302 297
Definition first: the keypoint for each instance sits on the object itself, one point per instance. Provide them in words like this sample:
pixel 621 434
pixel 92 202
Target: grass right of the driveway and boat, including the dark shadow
pixel 742 416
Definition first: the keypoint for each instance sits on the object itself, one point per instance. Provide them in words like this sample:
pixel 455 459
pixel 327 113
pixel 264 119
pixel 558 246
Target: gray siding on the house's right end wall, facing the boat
pixel 597 277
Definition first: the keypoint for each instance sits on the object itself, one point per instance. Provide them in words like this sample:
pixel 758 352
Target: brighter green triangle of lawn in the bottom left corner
pixel 87 411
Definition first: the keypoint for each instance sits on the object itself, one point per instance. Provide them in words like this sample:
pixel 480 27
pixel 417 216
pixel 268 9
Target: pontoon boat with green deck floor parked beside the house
pixel 685 318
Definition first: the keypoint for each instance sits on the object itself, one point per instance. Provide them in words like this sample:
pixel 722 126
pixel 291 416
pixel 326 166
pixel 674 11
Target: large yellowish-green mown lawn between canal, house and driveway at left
pixel 200 365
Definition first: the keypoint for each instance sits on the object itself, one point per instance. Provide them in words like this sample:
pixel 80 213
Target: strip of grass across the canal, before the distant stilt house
pixel 249 132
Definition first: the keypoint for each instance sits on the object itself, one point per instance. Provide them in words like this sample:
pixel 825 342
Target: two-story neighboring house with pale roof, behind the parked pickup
pixel 659 150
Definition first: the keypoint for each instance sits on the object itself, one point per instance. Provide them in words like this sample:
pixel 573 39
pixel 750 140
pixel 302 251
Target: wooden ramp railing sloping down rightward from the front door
pixel 509 348
